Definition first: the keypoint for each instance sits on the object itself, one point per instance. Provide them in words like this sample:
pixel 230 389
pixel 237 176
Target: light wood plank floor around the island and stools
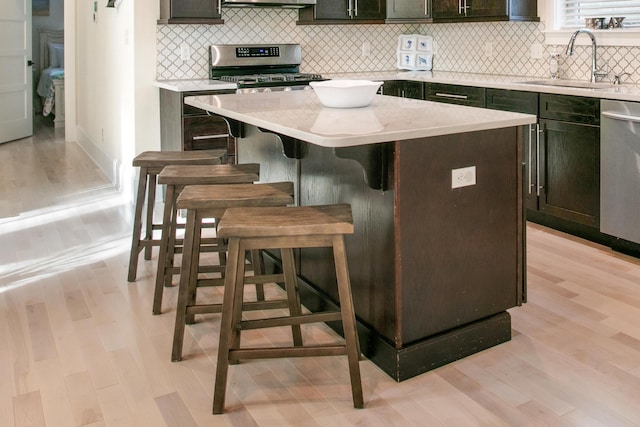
pixel 79 346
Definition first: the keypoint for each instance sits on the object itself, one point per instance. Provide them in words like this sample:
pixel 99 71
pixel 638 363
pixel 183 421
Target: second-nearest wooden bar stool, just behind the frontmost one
pixel 211 201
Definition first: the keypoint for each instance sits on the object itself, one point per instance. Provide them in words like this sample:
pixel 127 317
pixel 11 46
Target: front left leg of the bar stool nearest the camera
pixel 232 284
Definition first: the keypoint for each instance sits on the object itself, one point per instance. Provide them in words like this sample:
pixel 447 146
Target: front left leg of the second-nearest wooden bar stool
pixel 188 247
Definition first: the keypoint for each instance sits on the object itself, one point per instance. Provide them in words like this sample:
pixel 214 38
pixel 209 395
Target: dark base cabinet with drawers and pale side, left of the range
pixel 183 127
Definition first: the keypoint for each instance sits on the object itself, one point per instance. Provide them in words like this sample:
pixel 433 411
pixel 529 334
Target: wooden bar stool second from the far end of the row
pixel 176 177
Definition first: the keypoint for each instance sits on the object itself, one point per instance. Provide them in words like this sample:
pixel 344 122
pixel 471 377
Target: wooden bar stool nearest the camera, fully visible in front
pixel 251 229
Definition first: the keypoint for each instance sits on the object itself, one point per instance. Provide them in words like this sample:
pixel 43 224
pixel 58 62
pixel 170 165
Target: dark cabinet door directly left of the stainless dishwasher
pixel 570 171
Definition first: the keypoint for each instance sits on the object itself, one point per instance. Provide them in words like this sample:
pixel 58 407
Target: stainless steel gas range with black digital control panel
pixel 259 68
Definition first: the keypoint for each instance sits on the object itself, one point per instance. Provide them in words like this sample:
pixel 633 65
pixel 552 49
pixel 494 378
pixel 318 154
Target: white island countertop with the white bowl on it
pixel 300 115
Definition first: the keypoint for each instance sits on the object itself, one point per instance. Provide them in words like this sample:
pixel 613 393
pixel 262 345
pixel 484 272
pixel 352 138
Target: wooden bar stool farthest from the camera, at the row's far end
pixel 150 164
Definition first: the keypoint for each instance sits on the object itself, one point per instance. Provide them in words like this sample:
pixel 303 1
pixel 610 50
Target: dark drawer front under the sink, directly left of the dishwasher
pixel 573 109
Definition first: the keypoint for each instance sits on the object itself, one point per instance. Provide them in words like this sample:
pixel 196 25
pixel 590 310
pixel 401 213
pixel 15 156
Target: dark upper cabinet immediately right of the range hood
pixel 344 11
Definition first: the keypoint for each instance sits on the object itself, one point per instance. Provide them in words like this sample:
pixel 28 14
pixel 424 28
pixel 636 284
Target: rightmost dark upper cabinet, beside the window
pixel 484 10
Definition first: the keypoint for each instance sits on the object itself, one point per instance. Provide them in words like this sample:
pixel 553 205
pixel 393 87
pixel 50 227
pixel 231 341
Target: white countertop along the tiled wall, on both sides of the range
pixel 623 92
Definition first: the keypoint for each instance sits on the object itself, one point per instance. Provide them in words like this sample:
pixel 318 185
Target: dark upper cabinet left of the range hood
pixel 190 12
